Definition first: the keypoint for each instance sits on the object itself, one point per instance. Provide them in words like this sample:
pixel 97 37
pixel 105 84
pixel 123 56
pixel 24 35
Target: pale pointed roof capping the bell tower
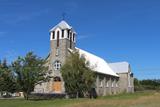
pixel 62 25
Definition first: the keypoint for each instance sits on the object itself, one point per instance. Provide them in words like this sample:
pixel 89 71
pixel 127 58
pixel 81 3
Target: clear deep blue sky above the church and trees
pixel 116 30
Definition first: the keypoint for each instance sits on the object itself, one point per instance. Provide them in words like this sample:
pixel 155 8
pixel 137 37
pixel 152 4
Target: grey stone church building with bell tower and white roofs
pixel 111 78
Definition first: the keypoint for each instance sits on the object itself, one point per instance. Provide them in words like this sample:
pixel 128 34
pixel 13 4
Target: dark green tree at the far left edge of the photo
pixel 7 80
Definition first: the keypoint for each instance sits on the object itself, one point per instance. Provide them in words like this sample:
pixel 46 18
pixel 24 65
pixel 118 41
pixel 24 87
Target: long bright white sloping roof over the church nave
pixel 97 64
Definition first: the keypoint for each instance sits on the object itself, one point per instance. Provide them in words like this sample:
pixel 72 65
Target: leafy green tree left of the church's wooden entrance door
pixel 30 71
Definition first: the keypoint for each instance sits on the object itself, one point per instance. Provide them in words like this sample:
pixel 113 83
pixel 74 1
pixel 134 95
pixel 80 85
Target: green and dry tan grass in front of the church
pixel 141 99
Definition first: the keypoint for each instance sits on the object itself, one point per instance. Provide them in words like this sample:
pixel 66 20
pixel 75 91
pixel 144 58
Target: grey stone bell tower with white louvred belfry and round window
pixel 62 39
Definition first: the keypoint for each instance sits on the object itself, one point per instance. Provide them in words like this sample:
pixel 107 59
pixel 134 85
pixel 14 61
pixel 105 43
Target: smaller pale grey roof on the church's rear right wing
pixel 120 67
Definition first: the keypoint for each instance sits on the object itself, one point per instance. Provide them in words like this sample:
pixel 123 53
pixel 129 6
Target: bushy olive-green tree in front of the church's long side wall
pixel 78 77
